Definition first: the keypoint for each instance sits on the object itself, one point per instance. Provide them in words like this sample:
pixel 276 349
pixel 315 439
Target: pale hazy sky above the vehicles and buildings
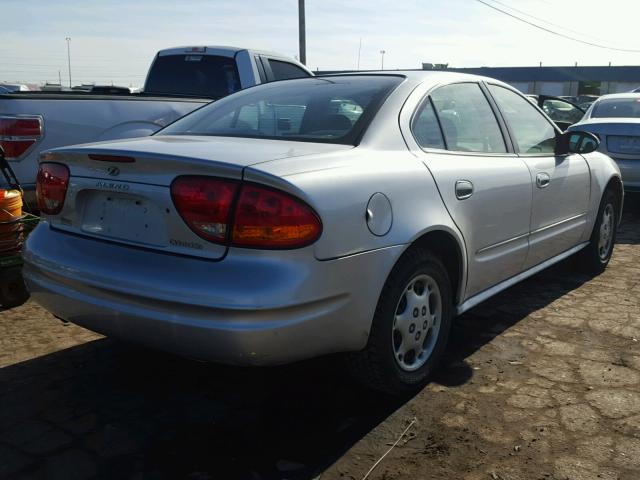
pixel 114 41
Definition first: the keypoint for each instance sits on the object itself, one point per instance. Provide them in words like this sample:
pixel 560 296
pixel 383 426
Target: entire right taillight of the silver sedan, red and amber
pixel 260 217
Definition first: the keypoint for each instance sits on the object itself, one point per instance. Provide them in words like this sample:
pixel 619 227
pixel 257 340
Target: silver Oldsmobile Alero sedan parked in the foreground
pixel 350 213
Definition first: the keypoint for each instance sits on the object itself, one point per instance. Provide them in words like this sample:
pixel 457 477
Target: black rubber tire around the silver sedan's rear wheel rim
pixel 378 366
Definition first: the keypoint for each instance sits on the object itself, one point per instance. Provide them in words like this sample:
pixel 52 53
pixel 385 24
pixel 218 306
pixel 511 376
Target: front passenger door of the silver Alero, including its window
pixel 561 183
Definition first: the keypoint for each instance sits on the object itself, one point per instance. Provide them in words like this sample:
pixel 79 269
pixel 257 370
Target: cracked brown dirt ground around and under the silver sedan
pixel 541 382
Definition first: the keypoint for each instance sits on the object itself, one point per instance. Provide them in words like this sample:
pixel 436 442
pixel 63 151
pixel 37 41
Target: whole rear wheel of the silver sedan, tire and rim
pixel 410 327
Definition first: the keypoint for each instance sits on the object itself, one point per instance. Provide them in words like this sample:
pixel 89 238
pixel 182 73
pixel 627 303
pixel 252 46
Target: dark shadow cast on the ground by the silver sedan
pixel 126 412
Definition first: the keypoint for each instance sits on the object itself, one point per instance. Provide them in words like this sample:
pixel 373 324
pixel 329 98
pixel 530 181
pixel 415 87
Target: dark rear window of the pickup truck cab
pixel 198 75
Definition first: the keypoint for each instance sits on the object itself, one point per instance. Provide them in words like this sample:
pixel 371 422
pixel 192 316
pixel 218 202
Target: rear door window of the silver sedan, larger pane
pixel 467 120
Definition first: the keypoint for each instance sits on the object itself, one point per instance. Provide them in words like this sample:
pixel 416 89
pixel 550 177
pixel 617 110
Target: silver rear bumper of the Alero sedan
pixel 248 309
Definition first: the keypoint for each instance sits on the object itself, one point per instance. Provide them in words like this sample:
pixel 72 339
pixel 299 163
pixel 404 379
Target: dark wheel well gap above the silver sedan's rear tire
pixel 447 248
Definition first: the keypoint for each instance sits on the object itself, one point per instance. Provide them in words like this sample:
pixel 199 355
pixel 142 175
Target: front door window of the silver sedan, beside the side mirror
pixel 532 132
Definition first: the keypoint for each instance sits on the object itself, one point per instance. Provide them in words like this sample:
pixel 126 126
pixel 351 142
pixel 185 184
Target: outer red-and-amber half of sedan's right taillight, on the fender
pixel 266 218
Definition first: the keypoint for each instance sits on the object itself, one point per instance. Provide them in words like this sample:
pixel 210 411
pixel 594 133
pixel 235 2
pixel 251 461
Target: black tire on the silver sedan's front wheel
pixel 593 259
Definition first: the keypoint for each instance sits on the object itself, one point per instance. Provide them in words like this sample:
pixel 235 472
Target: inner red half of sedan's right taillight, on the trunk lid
pixel 204 203
